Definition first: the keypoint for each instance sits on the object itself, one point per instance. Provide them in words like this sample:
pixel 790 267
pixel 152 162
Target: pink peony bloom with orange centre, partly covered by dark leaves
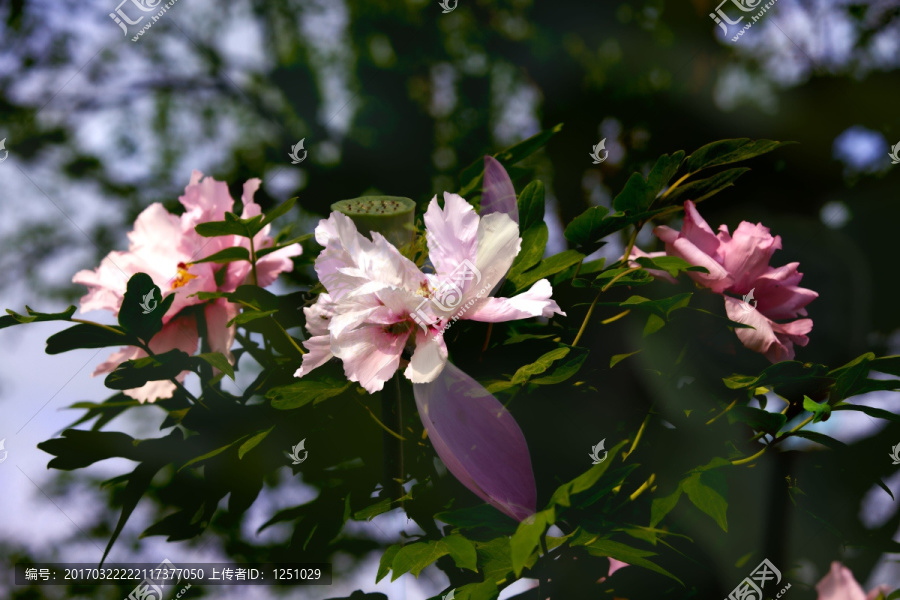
pixel 163 246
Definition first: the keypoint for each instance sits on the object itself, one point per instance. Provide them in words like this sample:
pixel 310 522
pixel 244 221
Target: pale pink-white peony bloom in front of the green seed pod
pixel 378 300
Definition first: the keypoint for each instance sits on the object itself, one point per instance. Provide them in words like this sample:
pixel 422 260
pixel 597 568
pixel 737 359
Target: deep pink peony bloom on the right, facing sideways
pixel 739 266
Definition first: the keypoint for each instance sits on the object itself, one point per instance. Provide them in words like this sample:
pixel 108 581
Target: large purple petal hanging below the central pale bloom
pixel 478 440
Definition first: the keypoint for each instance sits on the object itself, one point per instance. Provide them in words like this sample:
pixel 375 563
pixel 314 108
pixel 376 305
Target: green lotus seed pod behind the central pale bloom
pixel 391 216
